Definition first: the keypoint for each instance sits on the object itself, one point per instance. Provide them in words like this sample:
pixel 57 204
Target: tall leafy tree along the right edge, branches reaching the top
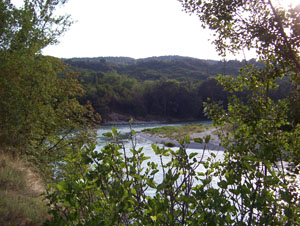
pixel 254 176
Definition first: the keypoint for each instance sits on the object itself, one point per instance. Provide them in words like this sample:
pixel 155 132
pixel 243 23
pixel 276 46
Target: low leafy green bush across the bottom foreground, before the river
pixel 116 186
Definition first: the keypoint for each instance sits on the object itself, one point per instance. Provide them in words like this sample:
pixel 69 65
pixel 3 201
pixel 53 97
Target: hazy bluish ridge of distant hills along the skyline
pixel 154 68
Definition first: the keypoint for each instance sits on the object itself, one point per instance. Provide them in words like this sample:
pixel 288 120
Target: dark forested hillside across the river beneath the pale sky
pixel 159 88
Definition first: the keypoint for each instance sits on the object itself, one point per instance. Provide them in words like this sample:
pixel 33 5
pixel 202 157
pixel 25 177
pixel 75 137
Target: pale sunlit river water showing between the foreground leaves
pixel 146 144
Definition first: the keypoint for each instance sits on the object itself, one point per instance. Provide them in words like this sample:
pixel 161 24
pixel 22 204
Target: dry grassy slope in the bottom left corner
pixel 20 193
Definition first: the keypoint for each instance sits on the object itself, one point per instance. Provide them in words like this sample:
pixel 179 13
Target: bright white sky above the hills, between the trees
pixel 133 28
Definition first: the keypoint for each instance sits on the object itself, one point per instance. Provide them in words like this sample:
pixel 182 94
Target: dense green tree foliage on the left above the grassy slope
pixel 39 113
